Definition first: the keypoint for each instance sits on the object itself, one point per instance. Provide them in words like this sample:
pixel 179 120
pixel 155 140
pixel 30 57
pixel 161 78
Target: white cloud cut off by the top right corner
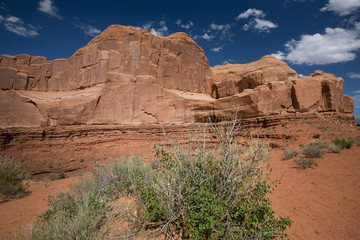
pixel 342 7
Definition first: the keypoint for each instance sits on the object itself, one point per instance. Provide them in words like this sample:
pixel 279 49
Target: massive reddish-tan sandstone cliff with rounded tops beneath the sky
pixel 128 76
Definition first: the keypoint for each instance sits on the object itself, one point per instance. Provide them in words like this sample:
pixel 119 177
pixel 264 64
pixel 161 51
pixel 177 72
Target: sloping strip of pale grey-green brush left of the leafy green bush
pixel 84 212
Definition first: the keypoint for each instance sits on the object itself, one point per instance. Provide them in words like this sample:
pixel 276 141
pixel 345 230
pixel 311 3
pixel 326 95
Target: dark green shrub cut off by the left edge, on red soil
pixel 11 174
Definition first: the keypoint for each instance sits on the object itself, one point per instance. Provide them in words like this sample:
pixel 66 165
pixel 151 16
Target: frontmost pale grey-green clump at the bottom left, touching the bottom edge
pixel 74 215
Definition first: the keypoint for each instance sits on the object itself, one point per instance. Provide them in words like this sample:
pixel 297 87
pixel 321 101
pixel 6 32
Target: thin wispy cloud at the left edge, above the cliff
pixel 16 25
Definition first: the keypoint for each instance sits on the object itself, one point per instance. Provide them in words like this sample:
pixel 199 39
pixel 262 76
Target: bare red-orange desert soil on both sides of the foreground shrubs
pixel 323 202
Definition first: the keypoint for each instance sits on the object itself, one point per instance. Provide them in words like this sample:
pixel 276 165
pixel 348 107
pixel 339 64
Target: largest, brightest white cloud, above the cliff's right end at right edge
pixel 334 46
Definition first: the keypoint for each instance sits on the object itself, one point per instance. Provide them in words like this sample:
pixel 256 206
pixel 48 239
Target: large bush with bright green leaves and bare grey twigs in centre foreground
pixel 210 193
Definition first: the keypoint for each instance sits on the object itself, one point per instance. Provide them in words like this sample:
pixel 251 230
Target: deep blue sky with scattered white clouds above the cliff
pixel 308 35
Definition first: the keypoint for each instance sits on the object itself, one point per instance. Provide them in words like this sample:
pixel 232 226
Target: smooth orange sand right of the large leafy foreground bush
pixel 323 202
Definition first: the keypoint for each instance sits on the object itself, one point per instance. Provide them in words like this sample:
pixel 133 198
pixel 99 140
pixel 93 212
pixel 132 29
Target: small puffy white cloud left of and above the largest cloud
pixel 257 21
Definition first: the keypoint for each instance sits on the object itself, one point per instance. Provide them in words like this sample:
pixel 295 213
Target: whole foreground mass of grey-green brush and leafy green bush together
pixel 194 192
